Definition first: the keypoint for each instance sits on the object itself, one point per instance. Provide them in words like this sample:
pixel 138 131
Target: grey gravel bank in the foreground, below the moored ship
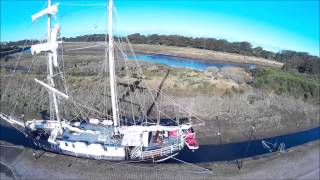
pixel 298 163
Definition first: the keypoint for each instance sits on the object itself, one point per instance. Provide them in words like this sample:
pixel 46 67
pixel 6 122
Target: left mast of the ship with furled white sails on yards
pixel 51 48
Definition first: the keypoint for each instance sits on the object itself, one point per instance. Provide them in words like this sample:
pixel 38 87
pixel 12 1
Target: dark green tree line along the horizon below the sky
pixel 300 61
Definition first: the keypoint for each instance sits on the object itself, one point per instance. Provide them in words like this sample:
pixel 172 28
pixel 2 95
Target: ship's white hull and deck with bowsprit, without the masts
pixel 97 142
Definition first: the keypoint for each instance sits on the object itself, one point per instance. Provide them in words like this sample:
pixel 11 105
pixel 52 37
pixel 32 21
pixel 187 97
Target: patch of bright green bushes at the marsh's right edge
pixel 288 82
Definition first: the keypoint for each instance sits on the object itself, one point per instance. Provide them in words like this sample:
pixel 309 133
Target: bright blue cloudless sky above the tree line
pixel 274 25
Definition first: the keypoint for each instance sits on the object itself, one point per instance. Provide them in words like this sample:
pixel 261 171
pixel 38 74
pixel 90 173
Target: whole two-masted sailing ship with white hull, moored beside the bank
pixel 107 137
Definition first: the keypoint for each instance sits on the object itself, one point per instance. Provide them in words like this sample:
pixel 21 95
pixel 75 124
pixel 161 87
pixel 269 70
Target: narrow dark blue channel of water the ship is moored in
pixel 207 152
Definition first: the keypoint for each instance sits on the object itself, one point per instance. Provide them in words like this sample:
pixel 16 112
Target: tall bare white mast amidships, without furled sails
pixel 113 89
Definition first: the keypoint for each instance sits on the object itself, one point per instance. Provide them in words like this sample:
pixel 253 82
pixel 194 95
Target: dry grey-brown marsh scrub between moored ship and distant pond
pixel 224 98
